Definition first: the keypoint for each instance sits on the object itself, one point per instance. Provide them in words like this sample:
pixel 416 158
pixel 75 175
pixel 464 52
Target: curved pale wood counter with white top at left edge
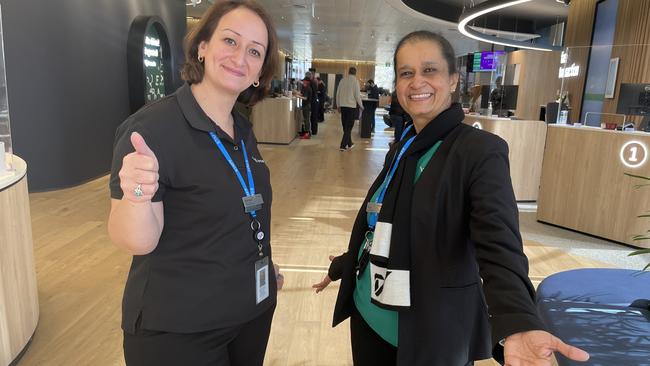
pixel 18 292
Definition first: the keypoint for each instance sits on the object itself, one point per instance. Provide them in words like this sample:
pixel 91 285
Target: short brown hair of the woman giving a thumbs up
pixel 193 70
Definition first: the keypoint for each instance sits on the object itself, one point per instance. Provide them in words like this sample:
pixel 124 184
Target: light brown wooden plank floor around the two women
pixel 317 192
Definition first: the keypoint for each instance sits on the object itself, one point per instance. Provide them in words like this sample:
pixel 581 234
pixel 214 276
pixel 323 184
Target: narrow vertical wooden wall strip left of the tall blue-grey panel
pixel 578 38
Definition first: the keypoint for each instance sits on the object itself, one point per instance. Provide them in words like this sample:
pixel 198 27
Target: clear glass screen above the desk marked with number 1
pixel 606 86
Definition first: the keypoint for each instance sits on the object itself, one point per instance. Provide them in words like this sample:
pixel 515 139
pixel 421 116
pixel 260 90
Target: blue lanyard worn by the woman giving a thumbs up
pixel 252 202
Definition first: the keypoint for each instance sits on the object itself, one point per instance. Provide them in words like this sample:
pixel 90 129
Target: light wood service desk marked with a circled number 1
pixel 583 186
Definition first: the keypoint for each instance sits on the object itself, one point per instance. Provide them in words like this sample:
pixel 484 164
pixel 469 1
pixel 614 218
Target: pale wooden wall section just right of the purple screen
pixel 538 81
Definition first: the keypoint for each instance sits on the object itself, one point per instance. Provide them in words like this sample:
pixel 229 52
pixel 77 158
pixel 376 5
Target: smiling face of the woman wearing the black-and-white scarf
pixel 423 82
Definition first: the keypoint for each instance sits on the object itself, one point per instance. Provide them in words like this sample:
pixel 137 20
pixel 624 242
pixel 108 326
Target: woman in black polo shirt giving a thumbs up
pixel 191 200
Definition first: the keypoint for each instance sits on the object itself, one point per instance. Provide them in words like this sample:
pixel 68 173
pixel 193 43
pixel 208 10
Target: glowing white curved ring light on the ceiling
pixel 488 7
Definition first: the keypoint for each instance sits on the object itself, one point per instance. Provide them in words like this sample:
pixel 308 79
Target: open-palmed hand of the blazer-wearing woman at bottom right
pixel 536 347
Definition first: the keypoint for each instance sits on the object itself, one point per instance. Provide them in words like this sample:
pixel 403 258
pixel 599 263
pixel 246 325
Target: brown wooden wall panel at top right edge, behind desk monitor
pixel 632 47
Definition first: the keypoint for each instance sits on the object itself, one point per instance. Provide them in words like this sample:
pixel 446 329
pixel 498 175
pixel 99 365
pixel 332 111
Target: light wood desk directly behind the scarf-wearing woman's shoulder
pixel 525 140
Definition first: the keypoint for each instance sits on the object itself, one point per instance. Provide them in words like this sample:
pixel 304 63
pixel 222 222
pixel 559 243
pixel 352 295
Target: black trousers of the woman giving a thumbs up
pixel 242 345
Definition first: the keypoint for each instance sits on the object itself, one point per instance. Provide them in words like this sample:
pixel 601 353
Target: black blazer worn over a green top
pixel 465 249
